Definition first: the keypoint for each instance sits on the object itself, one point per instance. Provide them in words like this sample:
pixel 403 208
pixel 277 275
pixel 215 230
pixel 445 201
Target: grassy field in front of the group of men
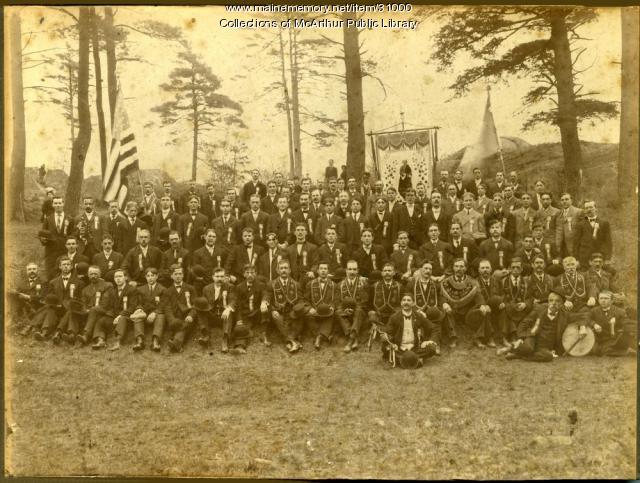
pixel 467 414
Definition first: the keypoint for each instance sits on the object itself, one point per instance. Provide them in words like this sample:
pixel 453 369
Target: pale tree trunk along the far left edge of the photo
pixel 18 151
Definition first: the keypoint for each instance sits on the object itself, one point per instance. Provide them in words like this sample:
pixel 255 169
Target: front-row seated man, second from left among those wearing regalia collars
pixel 323 296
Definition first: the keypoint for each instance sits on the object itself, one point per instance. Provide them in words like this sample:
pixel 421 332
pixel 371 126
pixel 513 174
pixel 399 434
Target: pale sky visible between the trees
pixel 413 86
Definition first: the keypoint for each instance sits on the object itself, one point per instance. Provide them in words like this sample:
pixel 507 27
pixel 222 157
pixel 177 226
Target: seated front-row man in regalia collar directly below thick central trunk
pixel 354 300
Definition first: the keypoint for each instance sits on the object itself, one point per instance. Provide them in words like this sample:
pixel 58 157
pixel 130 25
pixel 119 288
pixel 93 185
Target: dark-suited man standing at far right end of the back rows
pixel 592 234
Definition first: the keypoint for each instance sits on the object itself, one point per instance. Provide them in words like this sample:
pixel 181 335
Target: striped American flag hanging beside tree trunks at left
pixel 123 156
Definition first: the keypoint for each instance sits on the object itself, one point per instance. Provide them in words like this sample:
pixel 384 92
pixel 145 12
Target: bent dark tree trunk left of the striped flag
pixel 81 142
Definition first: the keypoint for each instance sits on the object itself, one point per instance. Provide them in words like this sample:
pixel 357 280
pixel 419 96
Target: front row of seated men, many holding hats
pixel 80 305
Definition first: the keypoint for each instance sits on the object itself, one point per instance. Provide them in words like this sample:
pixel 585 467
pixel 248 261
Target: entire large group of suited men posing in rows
pixel 343 259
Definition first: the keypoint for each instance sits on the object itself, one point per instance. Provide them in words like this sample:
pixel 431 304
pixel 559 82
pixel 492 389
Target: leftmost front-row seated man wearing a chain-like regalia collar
pixel 283 294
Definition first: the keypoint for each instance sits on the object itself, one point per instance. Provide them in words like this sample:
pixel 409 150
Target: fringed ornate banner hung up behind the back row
pixel 418 147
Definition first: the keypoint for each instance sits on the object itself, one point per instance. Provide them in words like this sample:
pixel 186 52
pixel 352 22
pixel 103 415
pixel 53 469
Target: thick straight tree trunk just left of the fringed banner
pixel 355 109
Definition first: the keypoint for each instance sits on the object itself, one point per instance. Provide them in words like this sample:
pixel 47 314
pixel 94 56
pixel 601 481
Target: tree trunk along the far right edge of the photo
pixel 628 148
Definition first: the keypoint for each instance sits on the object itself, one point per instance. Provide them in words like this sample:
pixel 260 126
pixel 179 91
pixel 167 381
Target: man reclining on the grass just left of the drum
pixel 540 332
